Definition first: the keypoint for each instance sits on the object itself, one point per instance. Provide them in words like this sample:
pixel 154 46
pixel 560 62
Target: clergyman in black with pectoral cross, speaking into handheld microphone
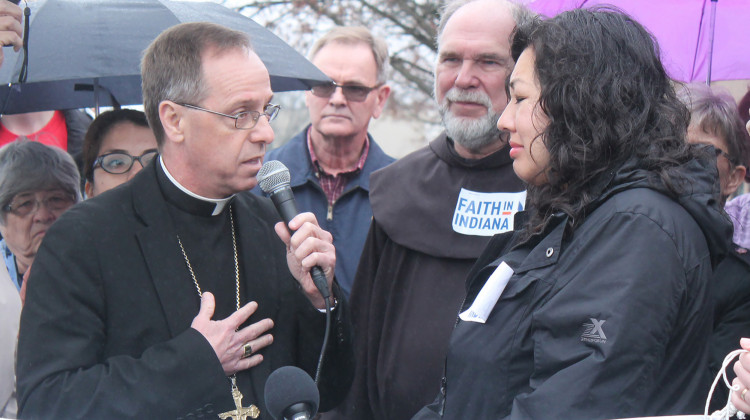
pixel 171 296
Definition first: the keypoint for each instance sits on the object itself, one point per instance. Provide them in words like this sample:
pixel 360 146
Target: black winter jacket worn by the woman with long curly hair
pixel 609 321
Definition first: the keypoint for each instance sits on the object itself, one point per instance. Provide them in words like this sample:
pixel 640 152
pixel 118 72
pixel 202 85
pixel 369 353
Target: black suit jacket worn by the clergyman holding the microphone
pixel 105 332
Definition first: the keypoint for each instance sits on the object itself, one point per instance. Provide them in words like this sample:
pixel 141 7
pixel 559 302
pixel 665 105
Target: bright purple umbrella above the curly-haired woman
pixel 694 47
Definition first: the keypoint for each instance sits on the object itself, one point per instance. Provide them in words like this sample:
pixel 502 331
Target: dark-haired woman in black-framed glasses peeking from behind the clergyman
pixel 118 144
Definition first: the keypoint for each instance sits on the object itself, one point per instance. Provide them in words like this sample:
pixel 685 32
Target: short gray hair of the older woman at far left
pixel 30 166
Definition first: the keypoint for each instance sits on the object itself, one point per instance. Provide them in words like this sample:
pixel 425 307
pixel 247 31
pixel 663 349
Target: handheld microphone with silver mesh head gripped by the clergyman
pixel 274 179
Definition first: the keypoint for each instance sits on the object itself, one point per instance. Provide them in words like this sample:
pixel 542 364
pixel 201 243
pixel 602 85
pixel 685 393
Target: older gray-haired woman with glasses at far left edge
pixel 37 184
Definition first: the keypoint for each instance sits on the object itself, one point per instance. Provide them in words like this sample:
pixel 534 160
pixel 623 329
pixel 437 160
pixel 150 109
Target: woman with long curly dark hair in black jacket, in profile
pixel 598 306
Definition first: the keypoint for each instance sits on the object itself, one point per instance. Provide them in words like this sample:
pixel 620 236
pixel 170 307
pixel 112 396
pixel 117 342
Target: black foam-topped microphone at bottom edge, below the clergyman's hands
pixel 291 394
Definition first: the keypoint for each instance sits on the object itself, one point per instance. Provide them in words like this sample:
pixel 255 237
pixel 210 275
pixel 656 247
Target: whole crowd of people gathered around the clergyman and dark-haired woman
pixel 568 248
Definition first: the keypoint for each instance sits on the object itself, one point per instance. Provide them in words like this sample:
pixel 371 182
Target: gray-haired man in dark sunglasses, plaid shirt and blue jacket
pixel 331 160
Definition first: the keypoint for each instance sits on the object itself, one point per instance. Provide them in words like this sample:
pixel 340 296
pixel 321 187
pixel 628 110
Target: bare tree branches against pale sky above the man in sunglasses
pixel 409 27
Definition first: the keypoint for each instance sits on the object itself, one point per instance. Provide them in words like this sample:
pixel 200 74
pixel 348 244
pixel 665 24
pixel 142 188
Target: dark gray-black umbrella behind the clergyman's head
pixel 86 53
